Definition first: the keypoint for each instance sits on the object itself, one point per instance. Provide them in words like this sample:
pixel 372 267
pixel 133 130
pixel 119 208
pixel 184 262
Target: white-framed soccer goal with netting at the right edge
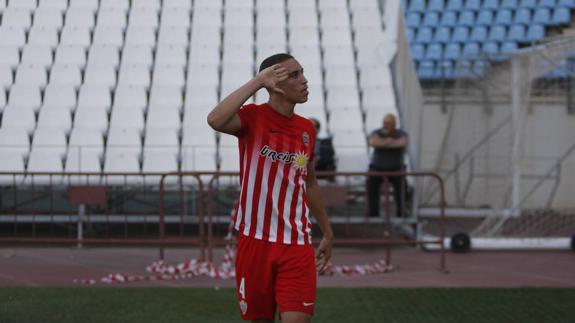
pixel 508 153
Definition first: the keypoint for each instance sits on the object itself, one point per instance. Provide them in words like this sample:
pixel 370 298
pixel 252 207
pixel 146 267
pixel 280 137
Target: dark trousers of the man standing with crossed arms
pixel 374 186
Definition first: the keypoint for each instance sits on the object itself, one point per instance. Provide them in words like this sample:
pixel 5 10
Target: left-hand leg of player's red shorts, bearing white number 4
pixel 254 280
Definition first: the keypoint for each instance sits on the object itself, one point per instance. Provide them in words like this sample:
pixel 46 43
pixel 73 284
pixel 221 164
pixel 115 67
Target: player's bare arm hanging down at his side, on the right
pixel 323 253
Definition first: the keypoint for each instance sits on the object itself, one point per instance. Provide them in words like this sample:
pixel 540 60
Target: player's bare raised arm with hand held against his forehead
pixel 224 117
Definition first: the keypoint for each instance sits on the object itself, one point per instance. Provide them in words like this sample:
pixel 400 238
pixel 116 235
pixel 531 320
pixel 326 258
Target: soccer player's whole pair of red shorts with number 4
pixel 270 275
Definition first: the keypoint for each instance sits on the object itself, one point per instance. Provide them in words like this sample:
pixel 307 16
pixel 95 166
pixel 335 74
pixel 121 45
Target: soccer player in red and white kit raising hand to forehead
pixel 275 264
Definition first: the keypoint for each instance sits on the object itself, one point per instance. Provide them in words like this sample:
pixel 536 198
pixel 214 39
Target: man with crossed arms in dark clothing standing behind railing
pixel 389 146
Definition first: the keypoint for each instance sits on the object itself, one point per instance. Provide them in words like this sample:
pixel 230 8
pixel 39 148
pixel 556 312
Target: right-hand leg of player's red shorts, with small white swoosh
pixel 296 280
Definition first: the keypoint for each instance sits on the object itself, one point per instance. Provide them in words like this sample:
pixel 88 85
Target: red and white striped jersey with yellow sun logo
pixel 274 153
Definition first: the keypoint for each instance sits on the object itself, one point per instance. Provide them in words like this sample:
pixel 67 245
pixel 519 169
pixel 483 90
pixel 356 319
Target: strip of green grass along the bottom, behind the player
pixel 165 305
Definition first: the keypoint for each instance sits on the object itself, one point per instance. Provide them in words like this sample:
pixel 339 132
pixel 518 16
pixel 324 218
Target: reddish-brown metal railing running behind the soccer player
pixel 62 223
